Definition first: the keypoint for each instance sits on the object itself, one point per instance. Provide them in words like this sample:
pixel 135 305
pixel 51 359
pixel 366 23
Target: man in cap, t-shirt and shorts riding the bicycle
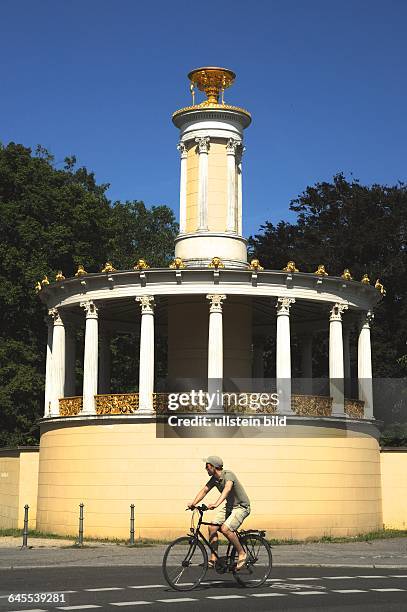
pixel 232 515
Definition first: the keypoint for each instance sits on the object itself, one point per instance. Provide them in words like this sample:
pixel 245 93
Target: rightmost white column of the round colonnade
pixel 365 365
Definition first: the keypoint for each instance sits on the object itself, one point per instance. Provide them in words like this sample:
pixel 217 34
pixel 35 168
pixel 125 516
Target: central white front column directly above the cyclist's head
pixel 215 347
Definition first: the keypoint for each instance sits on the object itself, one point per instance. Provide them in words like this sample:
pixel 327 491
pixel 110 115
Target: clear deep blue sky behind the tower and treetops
pixel 324 81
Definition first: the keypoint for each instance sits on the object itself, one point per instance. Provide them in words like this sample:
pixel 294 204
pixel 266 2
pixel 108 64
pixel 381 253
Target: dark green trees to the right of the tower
pixel 344 224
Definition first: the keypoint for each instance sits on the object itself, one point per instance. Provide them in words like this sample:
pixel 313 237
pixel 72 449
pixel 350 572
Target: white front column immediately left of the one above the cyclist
pixel 146 366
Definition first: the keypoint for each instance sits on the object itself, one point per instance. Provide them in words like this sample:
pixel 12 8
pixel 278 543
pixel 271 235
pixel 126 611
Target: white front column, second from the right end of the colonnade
pixel 336 369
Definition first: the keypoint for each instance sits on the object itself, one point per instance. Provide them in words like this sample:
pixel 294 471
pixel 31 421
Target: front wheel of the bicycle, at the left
pixel 185 563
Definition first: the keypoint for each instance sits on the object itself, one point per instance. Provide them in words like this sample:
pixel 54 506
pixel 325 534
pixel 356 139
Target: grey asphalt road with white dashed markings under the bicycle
pixel 128 588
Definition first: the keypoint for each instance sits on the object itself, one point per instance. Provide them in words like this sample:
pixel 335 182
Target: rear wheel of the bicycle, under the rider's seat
pixel 258 564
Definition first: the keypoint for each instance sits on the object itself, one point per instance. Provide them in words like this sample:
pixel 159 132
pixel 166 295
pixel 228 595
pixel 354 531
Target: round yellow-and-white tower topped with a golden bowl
pixel 211 148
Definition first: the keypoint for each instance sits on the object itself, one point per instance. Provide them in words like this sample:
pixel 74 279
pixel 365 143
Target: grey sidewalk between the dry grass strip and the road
pixel 388 553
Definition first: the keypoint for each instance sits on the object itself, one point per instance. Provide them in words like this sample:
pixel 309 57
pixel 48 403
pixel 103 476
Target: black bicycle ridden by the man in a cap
pixel 185 560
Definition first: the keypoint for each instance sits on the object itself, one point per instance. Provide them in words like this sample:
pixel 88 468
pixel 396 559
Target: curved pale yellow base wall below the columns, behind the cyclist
pixel 299 486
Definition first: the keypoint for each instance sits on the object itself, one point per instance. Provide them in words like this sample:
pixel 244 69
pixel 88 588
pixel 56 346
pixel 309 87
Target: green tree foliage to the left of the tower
pixel 53 219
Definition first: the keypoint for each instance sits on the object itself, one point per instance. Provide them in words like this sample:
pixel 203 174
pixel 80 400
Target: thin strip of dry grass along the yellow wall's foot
pixel 143 542
